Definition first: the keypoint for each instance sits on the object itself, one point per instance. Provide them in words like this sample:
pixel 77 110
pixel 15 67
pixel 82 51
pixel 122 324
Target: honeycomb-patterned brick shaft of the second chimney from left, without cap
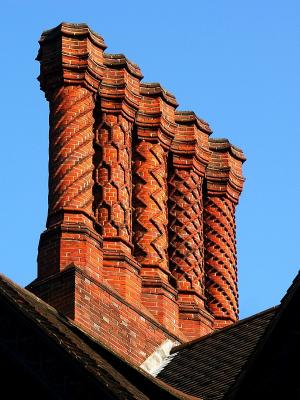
pixel 112 201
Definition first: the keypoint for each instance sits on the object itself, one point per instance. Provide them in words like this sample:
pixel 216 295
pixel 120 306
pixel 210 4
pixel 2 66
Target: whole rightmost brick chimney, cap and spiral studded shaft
pixel 224 185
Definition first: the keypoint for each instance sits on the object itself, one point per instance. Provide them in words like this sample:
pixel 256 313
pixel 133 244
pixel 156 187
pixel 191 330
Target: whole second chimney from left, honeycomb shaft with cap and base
pixel 116 110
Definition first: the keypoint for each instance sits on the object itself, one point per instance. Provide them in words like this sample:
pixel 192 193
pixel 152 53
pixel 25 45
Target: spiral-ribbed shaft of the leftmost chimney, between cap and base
pixel 71 149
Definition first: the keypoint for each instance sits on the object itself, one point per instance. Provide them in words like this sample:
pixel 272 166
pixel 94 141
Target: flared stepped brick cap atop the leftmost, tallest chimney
pixel 70 54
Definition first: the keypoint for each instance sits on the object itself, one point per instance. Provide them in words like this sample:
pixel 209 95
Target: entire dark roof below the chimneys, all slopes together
pixel 253 358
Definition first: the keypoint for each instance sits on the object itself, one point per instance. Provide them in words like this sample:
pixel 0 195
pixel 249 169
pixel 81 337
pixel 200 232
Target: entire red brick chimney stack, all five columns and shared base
pixel 129 247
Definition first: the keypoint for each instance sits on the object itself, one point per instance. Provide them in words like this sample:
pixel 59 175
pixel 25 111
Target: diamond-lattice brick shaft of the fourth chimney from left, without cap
pixel 186 230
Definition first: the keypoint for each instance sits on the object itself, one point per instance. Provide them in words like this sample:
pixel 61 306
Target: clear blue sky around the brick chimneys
pixel 235 63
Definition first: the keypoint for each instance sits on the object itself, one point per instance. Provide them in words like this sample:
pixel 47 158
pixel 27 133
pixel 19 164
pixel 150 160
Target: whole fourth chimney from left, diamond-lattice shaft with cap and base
pixel 190 155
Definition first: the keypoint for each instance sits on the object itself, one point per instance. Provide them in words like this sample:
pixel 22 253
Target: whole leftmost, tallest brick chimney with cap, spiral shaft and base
pixel 70 57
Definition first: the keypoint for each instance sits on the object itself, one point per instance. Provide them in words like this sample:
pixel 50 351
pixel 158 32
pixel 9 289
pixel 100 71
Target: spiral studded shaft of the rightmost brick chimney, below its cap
pixel 220 258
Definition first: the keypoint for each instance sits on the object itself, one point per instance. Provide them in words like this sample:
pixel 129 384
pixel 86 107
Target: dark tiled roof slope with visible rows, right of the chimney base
pixel 208 366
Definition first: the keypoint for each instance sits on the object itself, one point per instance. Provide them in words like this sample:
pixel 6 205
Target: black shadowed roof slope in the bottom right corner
pixel 272 371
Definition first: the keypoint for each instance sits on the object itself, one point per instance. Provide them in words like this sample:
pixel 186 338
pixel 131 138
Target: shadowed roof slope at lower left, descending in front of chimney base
pixel 111 374
